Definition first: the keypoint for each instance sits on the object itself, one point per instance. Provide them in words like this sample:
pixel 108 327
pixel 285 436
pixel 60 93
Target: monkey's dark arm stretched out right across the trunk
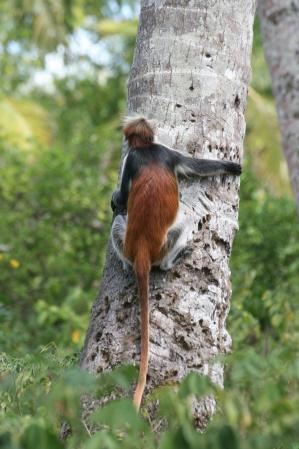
pixel 205 167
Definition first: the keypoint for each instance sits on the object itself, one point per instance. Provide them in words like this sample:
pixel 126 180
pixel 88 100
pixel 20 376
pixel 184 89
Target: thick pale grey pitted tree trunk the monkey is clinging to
pixel 190 74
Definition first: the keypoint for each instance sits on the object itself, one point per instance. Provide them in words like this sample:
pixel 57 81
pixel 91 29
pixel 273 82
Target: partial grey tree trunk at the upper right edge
pixel 280 31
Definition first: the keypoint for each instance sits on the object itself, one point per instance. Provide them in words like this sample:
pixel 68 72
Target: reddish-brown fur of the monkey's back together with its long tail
pixel 152 208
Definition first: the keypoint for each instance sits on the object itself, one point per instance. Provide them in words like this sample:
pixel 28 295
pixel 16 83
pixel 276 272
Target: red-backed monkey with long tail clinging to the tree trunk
pixel 147 229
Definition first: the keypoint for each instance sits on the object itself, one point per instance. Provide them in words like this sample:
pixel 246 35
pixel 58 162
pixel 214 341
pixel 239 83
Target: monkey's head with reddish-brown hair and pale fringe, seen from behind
pixel 138 131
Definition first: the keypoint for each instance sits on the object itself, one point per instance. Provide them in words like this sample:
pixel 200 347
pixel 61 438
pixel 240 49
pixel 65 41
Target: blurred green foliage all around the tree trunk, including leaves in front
pixel 64 66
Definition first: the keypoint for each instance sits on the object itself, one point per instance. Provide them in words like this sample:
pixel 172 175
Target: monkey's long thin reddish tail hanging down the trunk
pixel 142 269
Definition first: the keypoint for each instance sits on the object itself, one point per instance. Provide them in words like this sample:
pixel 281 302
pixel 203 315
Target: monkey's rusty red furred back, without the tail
pixel 152 208
